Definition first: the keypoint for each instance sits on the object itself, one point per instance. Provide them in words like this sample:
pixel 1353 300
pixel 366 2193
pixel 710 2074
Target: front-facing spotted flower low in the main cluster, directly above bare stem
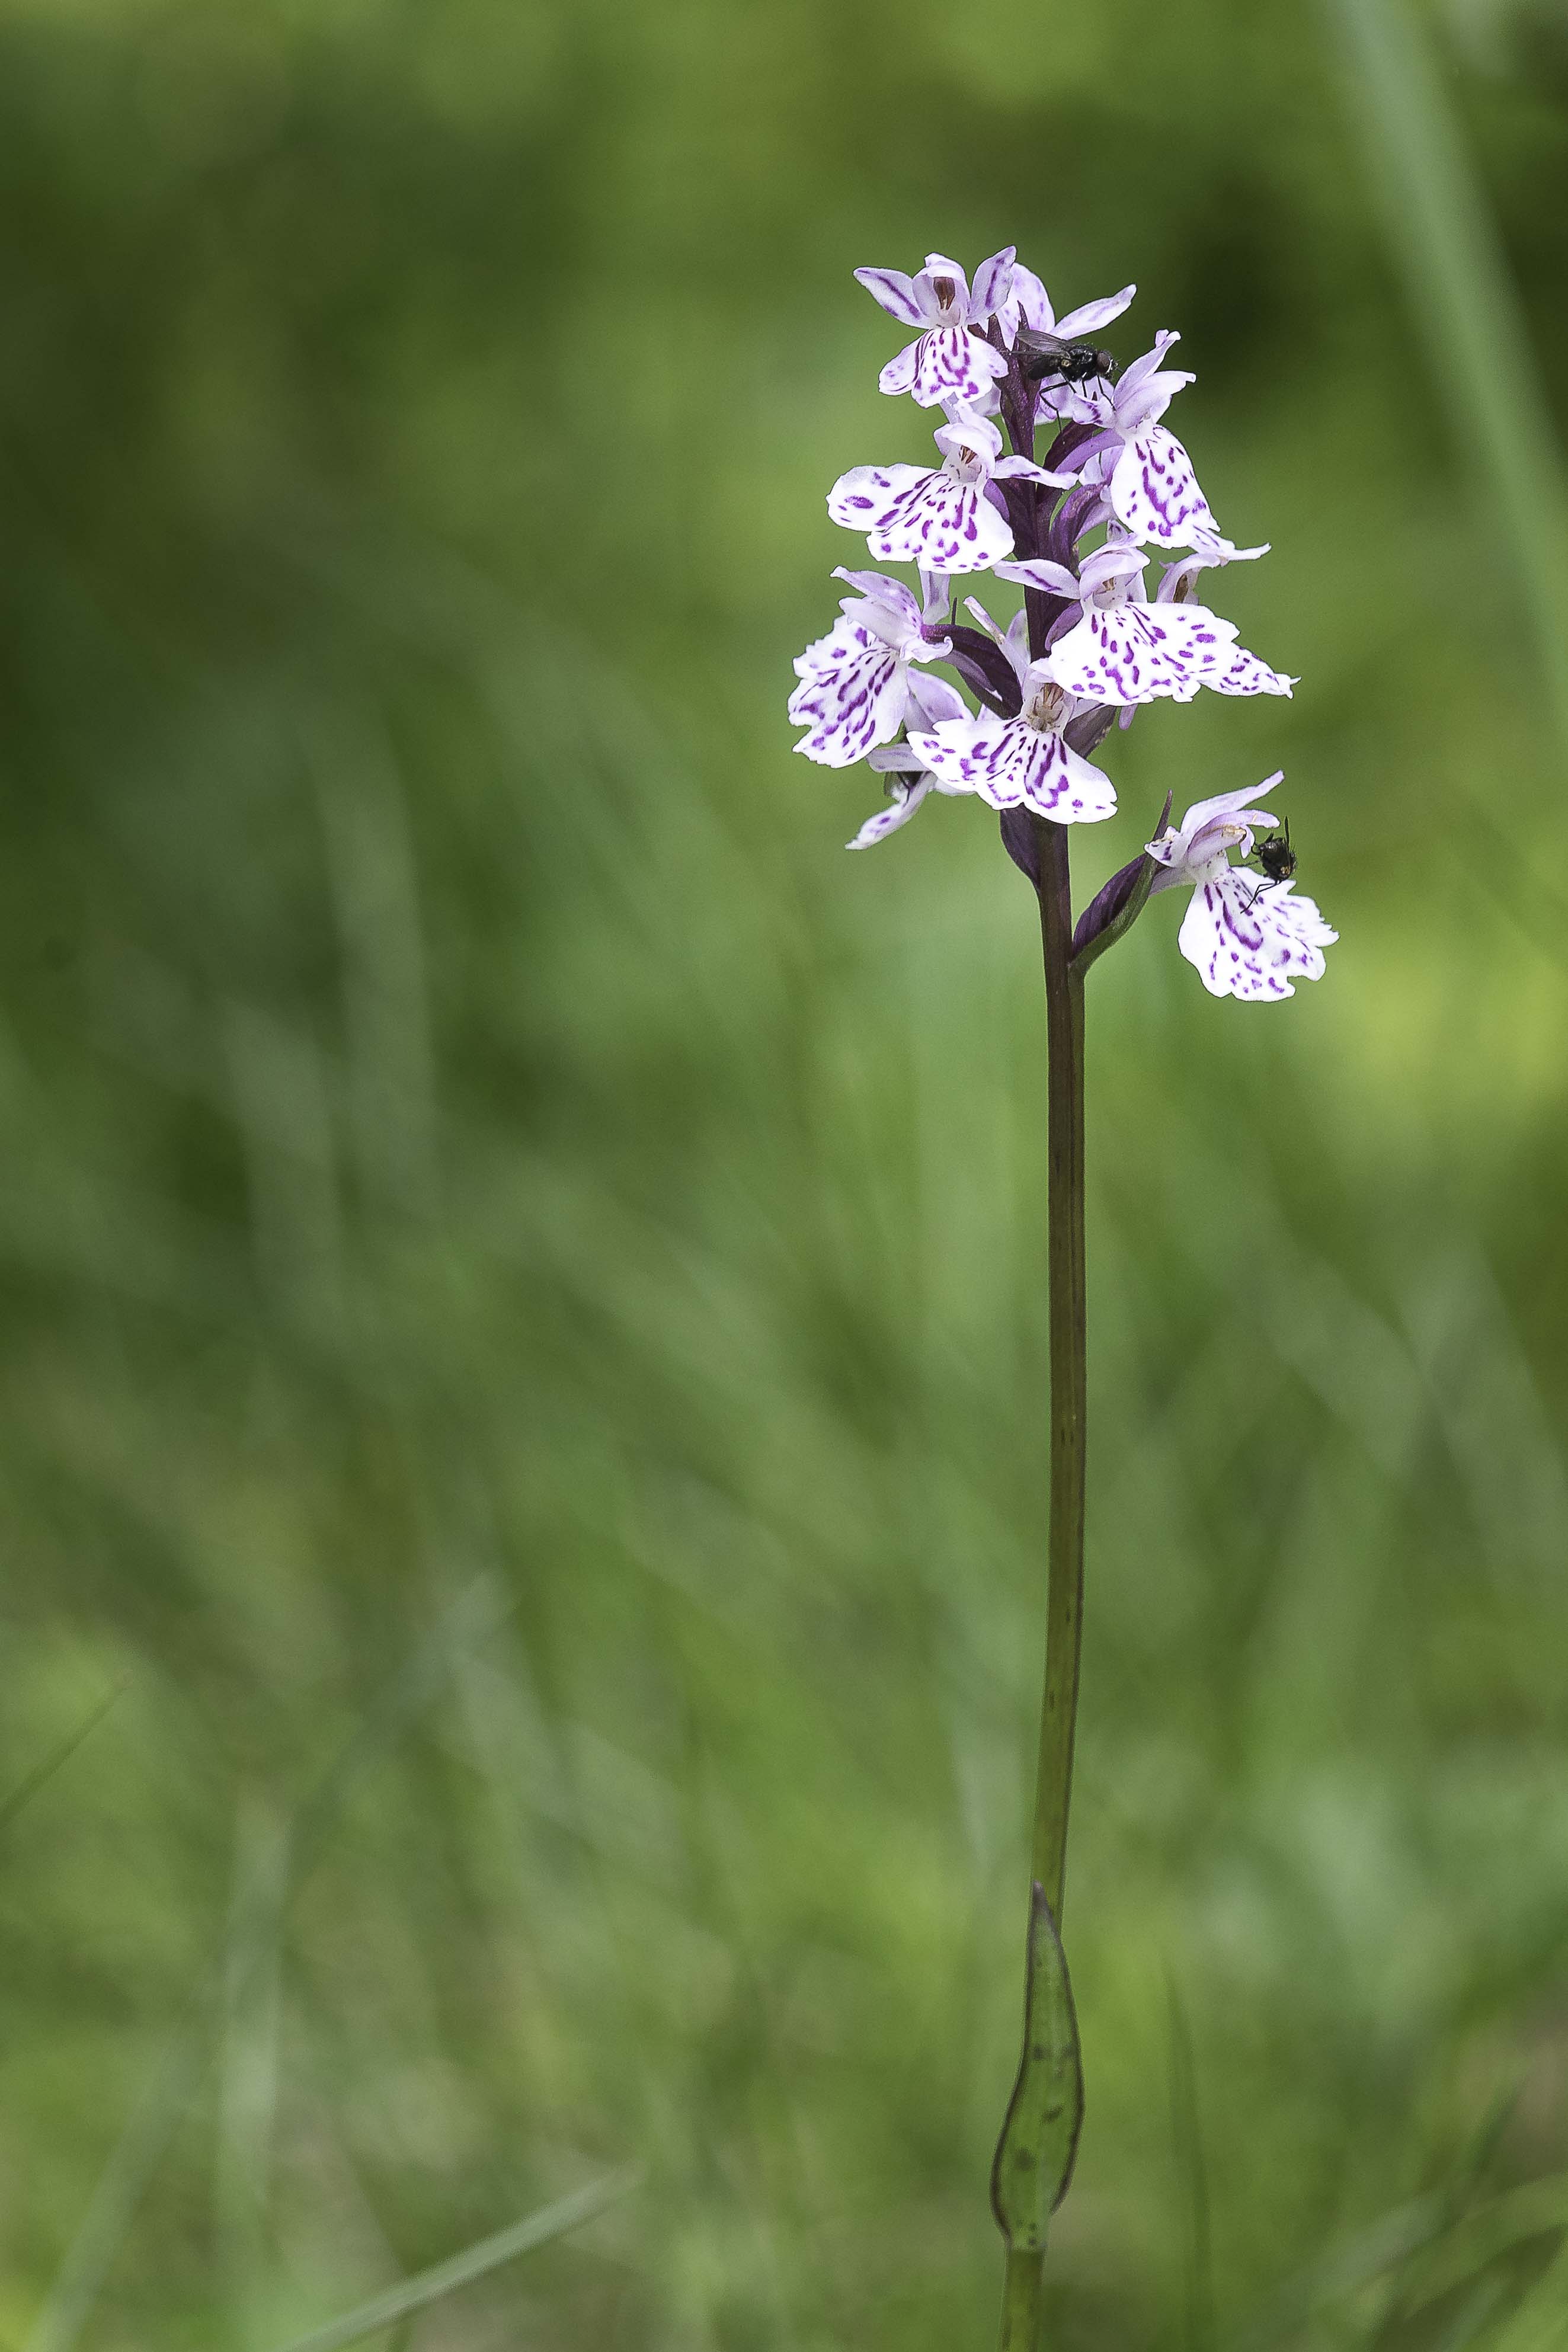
pixel 1019 761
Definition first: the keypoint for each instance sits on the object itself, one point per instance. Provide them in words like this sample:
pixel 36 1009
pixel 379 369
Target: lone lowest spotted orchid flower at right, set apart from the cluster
pixel 1247 937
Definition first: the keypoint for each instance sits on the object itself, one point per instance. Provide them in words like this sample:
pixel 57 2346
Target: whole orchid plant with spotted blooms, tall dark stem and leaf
pixel 1090 648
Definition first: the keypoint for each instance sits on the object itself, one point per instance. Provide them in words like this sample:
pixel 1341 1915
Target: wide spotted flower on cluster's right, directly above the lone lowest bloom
pixel 1125 650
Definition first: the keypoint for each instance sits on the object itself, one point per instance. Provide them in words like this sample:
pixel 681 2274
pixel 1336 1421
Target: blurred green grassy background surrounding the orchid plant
pixel 523 1264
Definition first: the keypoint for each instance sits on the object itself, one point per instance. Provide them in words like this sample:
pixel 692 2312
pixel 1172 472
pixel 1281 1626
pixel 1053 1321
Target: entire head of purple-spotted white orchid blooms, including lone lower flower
pixel 1090 646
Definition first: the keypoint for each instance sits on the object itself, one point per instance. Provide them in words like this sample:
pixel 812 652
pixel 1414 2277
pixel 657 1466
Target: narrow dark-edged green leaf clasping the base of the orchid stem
pixel 1040 2134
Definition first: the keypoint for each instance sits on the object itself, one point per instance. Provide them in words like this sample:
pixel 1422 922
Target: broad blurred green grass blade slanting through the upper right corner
pixel 1447 246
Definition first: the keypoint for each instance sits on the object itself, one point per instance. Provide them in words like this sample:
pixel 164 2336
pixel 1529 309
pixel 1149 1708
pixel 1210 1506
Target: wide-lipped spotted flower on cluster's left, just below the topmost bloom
pixel 944 519
